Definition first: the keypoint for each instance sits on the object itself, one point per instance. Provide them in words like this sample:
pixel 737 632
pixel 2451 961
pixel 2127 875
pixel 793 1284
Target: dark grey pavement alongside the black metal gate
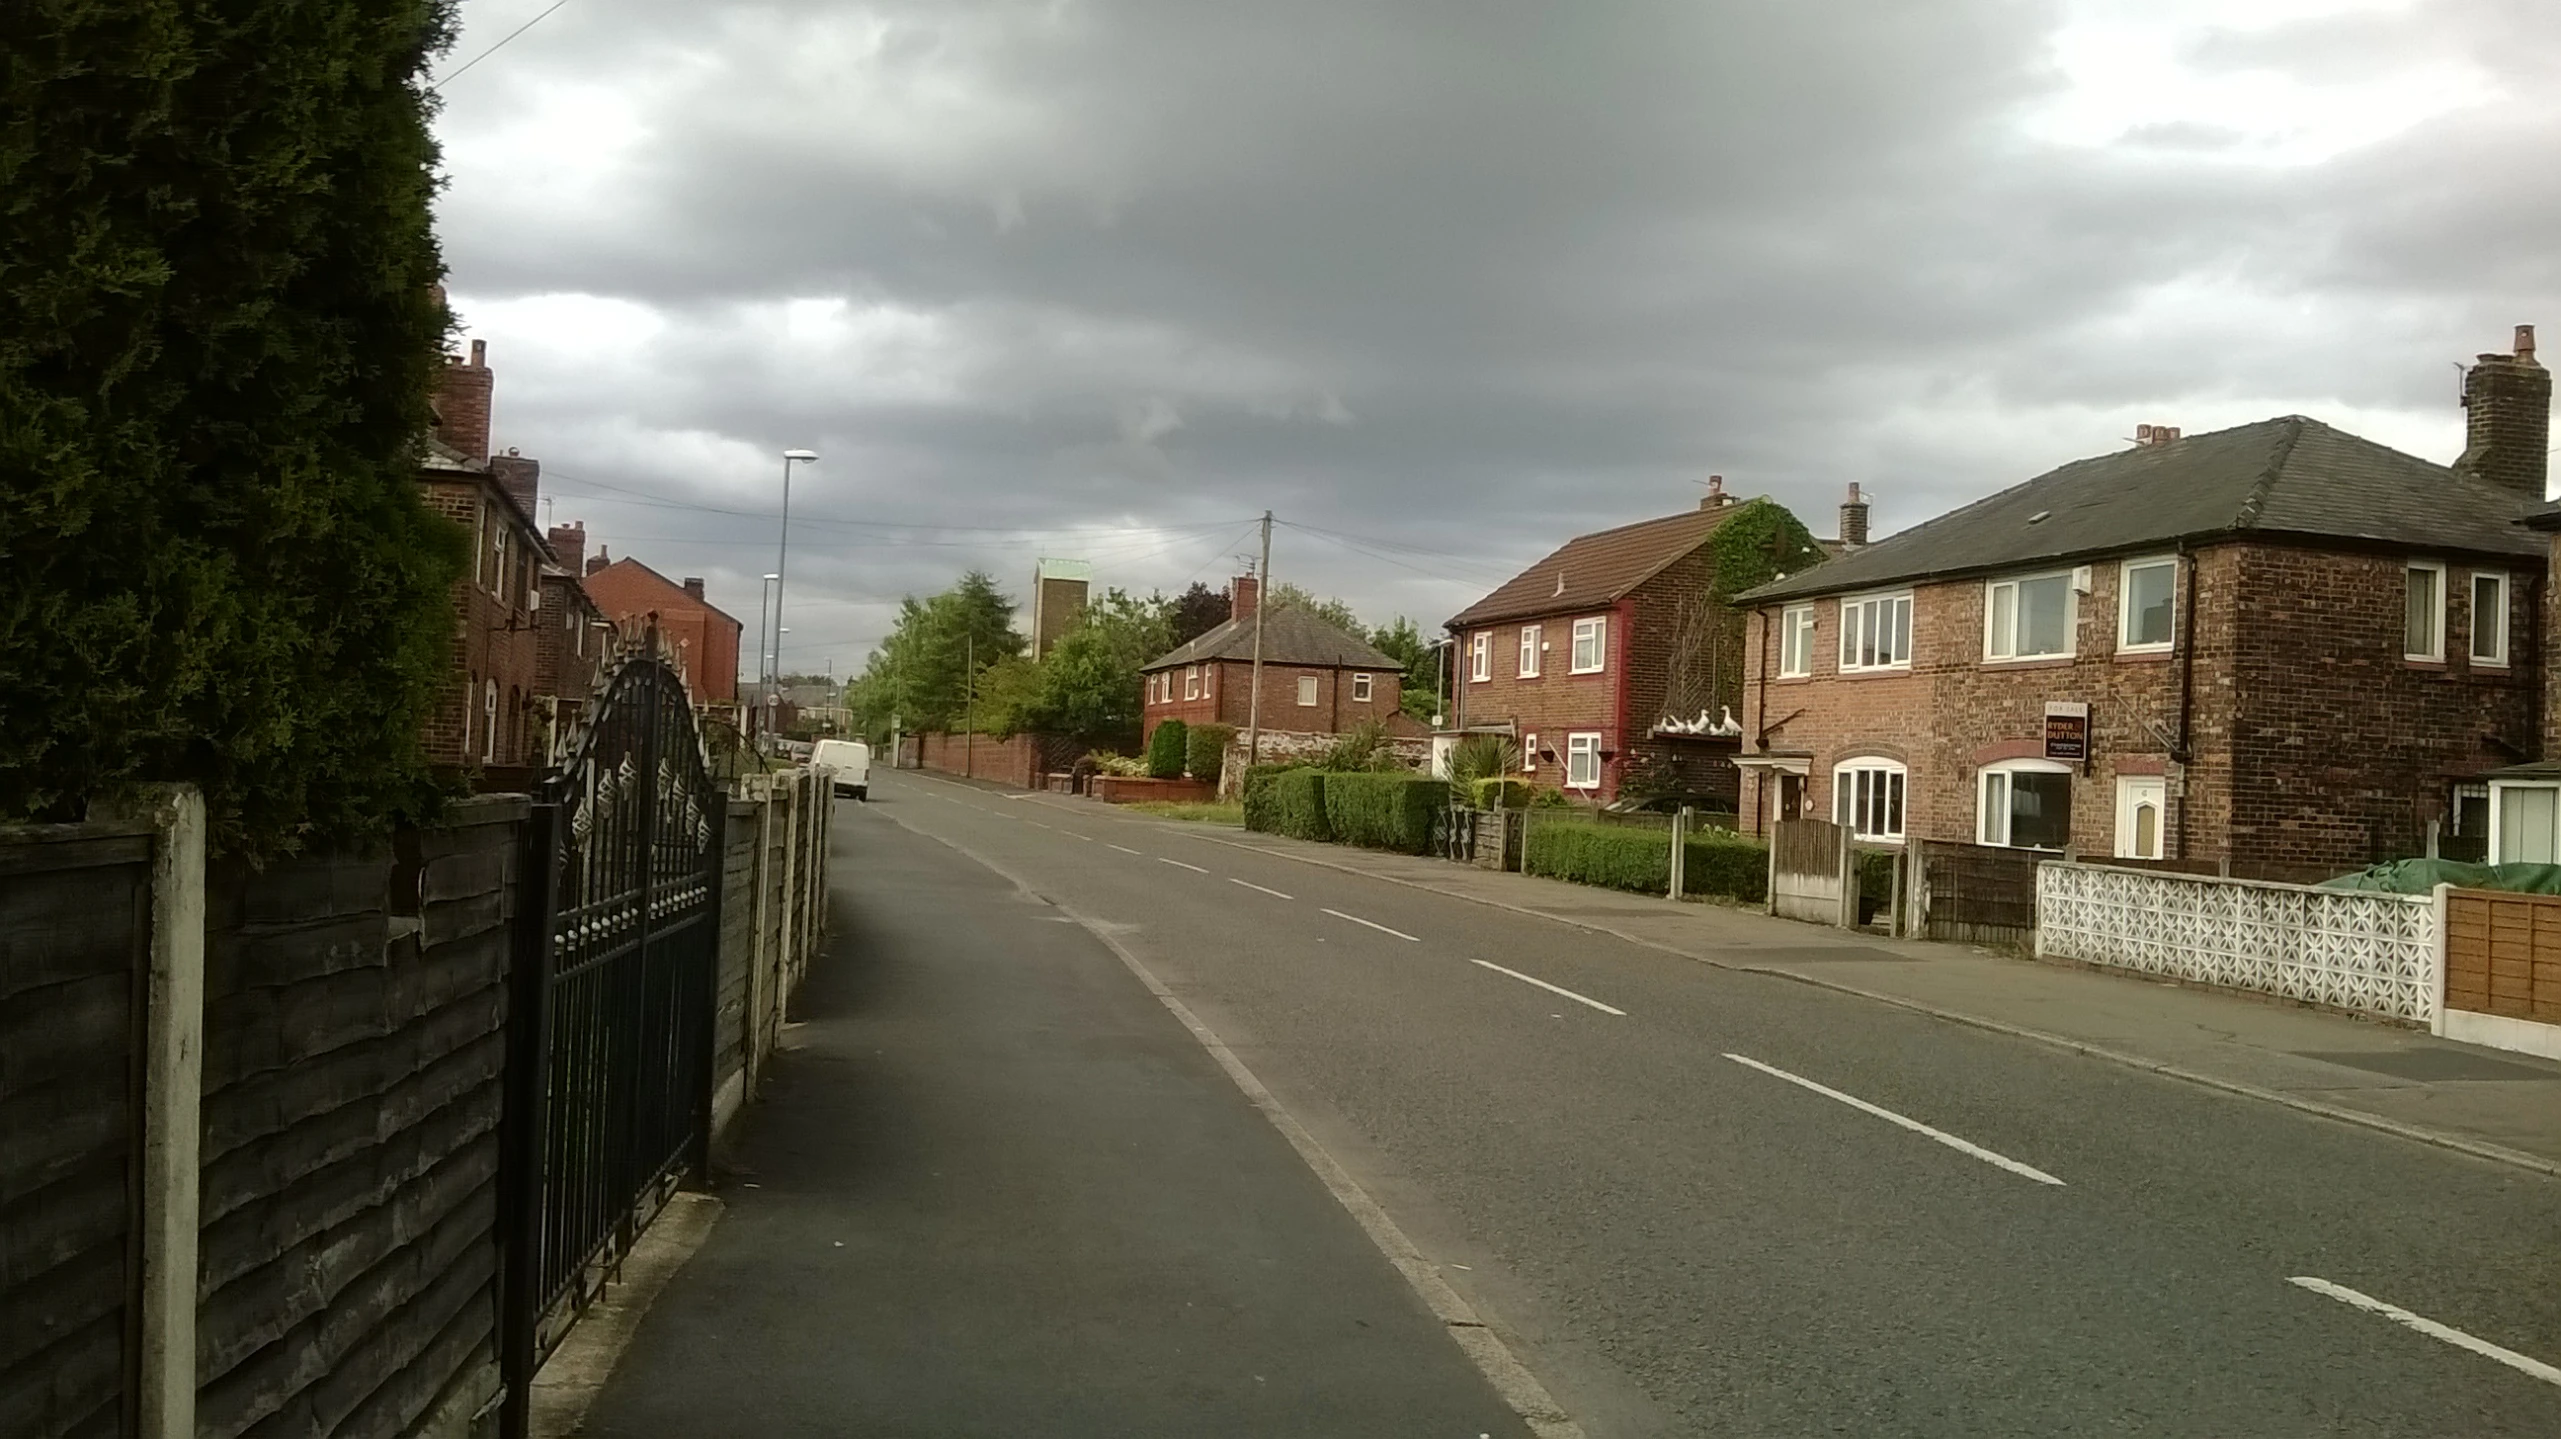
pixel 995 1189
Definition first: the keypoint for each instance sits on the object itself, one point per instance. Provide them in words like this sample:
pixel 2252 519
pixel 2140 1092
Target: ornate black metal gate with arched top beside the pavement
pixel 613 1008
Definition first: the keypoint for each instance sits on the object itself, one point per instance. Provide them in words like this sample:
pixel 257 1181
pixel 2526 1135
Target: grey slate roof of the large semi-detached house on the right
pixel 2278 478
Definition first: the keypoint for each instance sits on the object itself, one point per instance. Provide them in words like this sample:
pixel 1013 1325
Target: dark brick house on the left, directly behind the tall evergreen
pixel 488 721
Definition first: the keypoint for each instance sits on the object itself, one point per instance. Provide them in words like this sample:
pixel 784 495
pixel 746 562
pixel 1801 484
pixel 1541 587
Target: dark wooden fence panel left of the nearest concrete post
pixel 76 931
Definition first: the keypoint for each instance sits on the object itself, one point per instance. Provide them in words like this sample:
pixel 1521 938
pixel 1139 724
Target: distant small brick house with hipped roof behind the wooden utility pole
pixel 1318 680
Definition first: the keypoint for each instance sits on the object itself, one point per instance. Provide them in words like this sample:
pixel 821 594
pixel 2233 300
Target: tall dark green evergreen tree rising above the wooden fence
pixel 219 334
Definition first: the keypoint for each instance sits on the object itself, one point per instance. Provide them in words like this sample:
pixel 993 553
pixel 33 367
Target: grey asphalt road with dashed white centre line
pixel 1702 1202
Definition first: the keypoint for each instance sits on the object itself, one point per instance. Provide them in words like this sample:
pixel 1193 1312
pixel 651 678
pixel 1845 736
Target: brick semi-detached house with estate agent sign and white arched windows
pixel 2275 647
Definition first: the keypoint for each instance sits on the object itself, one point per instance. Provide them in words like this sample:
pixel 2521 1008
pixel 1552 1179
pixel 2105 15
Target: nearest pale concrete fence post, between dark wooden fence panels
pixel 173 1107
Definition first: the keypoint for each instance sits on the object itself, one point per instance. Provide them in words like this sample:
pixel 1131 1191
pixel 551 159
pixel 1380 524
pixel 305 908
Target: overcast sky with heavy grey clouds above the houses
pixel 1448 283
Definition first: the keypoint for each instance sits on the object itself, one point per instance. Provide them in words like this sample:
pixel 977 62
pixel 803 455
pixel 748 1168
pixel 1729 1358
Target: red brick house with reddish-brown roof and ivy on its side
pixel 1610 662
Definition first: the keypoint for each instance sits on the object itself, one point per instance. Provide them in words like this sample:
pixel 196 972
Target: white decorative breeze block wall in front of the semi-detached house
pixel 2373 954
